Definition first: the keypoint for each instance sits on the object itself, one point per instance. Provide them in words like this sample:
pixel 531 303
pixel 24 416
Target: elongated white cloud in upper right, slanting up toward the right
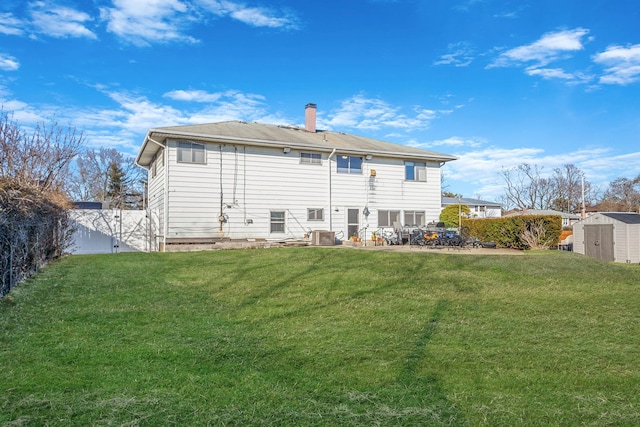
pixel 549 48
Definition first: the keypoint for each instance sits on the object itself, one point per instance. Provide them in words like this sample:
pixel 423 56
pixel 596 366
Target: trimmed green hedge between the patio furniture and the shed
pixel 507 232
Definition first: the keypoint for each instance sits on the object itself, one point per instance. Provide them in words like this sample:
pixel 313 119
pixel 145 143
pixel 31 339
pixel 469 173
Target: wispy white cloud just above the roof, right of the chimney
pixel 359 112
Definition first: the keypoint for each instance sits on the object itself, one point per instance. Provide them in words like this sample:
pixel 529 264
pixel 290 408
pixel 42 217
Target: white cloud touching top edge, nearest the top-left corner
pixel 60 21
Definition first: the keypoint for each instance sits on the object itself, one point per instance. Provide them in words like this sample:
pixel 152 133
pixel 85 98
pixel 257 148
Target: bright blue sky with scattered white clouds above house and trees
pixel 496 83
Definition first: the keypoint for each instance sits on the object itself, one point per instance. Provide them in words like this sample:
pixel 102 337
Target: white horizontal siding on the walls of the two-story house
pixel 258 180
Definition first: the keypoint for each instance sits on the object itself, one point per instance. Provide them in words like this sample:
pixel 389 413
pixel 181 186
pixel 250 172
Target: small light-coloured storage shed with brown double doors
pixel 609 236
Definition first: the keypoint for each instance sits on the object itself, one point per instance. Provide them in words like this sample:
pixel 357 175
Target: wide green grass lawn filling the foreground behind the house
pixel 323 337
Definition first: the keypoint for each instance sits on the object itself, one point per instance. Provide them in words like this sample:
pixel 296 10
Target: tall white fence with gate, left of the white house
pixel 107 231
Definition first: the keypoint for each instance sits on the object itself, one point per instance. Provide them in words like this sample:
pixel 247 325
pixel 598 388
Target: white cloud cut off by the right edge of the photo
pixel 622 64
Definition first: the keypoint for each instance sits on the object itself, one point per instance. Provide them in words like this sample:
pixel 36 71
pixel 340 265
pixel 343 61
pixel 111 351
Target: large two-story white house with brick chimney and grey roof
pixel 237 180
